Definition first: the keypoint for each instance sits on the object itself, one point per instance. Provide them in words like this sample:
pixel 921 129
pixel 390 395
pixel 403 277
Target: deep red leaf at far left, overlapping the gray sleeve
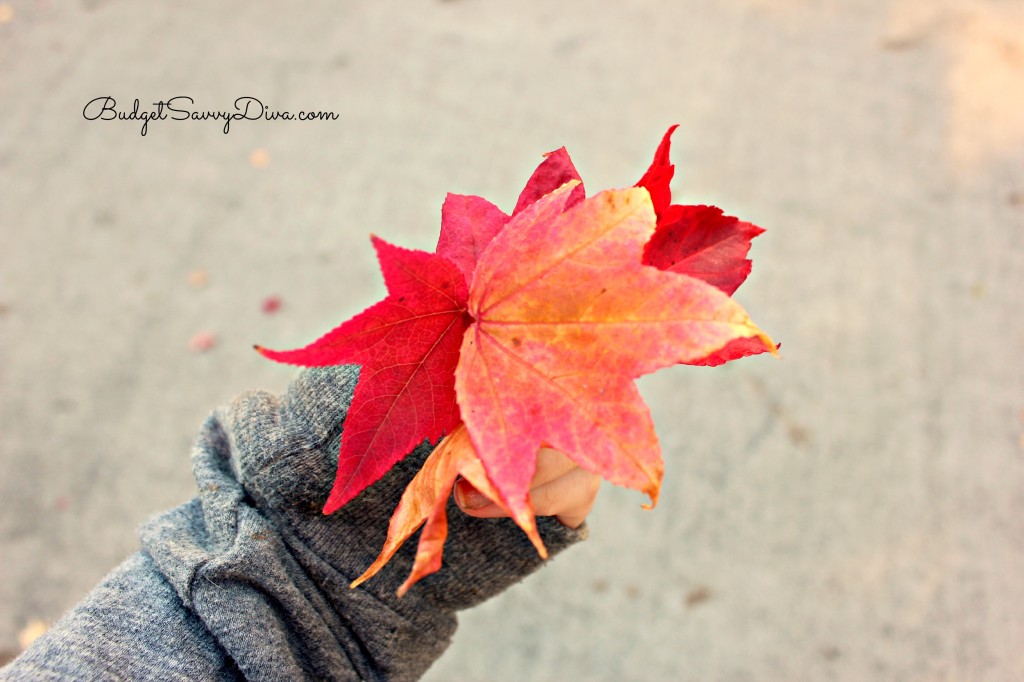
pixel 408 347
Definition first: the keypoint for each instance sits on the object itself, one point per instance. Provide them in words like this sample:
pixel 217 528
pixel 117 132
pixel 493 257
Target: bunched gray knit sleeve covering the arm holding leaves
pixel 250 580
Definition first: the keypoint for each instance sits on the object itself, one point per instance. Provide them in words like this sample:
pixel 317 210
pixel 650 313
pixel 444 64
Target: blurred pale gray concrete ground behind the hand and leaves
pixel 855 511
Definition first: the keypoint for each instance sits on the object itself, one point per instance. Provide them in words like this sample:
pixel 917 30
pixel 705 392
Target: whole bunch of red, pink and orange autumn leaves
pixel 526 331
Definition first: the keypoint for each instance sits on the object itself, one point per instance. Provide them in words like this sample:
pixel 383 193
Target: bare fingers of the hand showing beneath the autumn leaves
pixel 560 489
